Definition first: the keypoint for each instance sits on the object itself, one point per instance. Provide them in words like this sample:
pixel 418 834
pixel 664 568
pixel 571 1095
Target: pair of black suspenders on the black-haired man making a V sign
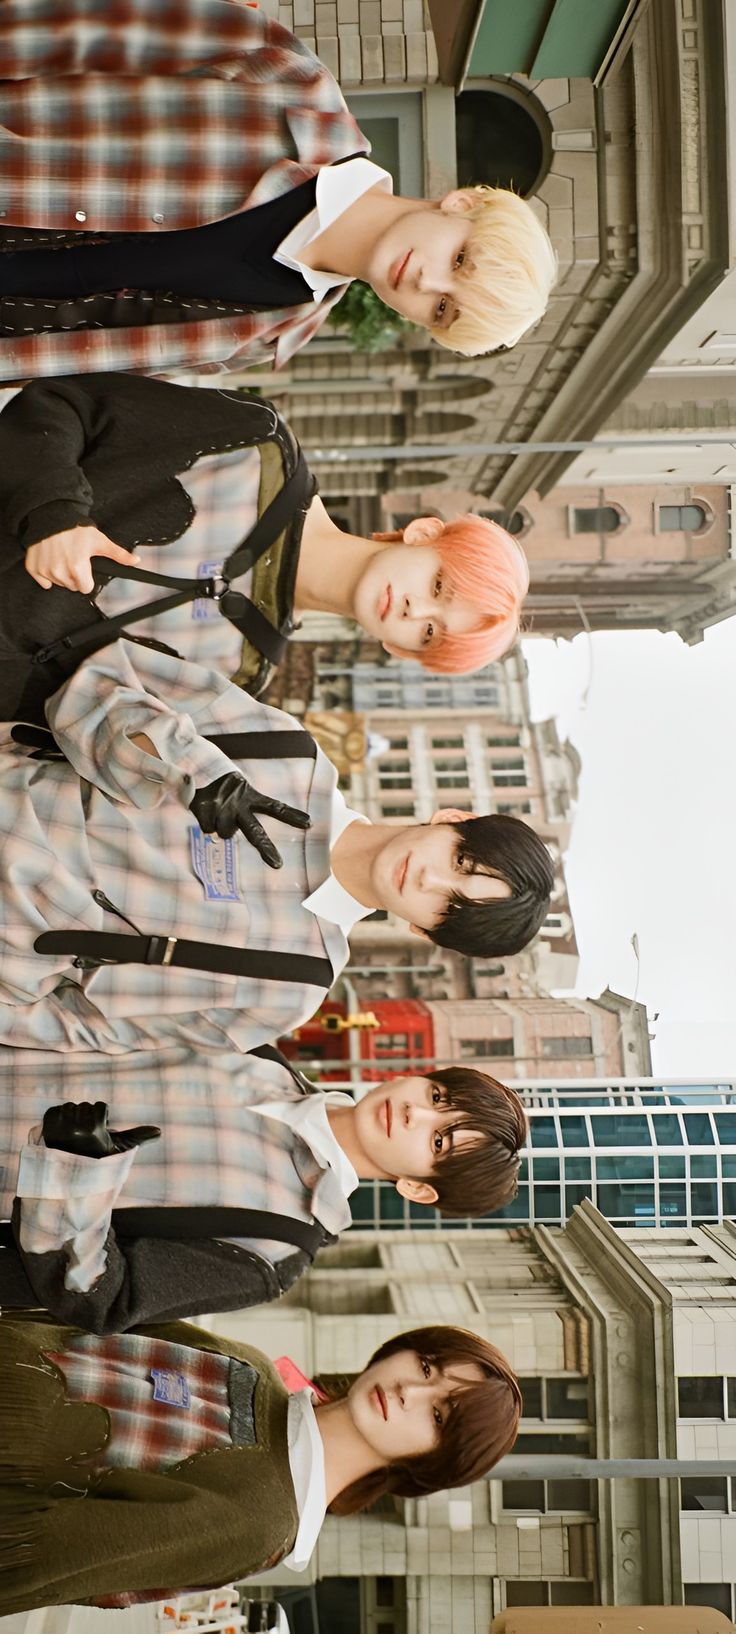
pixel 91 947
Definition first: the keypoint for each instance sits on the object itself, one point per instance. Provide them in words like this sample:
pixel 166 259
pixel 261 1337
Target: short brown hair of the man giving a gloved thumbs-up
pixel 483 1176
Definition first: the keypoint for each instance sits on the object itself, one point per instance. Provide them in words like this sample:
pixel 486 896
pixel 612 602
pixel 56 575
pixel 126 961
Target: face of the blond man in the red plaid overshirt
pixel 416 267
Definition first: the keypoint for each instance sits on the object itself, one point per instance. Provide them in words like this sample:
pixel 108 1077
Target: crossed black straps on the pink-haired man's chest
pixel 294 494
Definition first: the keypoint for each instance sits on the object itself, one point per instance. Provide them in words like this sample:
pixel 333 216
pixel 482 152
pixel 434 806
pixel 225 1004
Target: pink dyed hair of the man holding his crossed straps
pixel 487 566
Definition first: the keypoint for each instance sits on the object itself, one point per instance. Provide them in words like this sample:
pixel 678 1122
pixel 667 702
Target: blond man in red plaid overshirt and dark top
pixel 191 192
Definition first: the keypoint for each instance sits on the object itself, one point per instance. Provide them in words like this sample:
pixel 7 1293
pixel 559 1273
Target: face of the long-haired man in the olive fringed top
pixel 402 1404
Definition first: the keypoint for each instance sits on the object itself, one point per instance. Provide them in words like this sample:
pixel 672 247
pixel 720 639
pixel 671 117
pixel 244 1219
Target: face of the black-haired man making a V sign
pixel 420 868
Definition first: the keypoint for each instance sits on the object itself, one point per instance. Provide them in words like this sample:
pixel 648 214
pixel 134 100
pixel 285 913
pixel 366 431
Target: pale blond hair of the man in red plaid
pixel 508 277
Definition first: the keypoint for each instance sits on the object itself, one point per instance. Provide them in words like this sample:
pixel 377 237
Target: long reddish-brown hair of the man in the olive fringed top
pixel 482 1426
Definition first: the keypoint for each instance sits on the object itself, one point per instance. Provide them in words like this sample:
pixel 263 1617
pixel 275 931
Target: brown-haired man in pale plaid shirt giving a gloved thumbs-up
pixel 238 1132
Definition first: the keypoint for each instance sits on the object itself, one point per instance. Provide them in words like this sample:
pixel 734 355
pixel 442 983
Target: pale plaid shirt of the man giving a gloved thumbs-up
pixel 220 1146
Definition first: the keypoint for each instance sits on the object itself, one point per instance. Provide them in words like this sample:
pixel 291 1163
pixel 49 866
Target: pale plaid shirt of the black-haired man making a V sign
pixel 114 818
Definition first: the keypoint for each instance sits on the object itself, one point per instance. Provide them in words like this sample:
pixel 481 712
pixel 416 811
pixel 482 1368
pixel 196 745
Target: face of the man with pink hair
pixel 405 599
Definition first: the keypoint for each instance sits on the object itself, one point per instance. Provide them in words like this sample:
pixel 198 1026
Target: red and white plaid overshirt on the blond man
pixel 123 117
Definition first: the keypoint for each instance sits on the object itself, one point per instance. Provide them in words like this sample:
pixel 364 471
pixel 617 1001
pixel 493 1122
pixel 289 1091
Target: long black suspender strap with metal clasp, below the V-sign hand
pixel 253 963
